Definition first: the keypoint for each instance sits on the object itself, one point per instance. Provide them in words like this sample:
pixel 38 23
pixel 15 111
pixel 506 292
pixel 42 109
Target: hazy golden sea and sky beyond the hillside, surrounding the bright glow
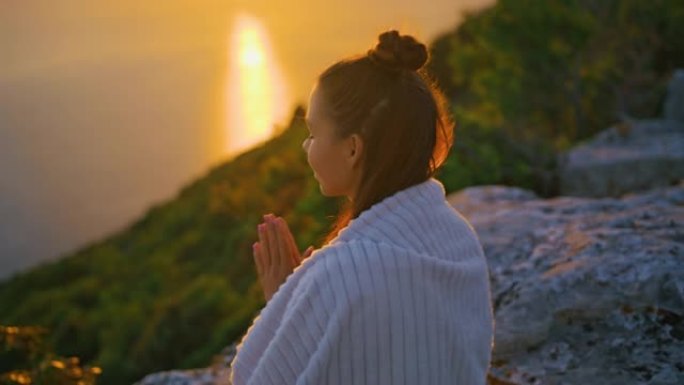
pixel 108 107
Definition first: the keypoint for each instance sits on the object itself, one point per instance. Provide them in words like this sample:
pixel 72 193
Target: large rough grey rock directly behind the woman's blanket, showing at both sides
pixel 584 290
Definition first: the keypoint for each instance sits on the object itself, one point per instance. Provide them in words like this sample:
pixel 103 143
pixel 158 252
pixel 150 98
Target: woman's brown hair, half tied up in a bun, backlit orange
pixel 387 98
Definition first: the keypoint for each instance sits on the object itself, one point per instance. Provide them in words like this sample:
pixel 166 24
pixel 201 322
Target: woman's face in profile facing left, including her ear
pixel 334 161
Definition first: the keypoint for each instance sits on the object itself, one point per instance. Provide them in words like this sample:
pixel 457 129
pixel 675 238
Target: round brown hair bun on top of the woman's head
pixel 398 52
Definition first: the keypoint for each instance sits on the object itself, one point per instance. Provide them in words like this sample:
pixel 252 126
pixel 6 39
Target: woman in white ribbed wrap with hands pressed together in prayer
pixel 399 293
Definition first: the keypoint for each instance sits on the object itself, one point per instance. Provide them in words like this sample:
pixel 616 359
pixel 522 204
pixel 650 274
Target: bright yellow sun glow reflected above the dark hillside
pixel 255 89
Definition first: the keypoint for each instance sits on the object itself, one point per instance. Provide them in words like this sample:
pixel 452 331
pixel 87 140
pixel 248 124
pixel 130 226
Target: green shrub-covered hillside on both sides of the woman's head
pixel 526 79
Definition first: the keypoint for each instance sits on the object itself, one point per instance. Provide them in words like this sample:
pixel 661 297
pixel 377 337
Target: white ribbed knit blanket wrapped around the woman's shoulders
pixel 401 296
